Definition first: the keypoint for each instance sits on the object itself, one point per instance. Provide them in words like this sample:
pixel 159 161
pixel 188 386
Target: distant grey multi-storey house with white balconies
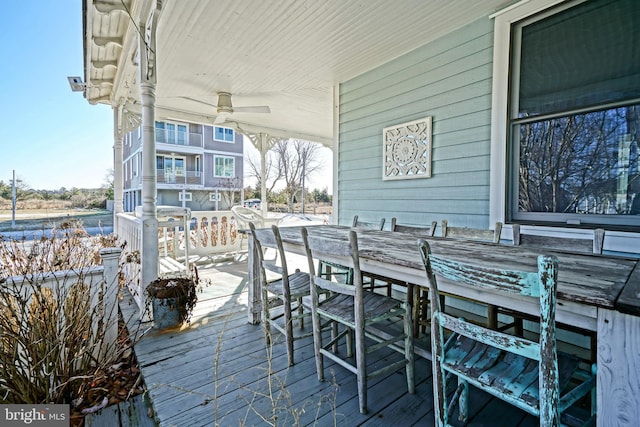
pixel 197 166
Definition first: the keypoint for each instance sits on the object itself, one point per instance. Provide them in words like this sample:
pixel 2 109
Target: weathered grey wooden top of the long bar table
pixel 586 279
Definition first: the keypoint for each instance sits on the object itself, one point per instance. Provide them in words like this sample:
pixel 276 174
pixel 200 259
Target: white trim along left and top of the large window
pixel 499 100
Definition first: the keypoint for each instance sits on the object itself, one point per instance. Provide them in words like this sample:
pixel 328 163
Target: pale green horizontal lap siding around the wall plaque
pixel 450 80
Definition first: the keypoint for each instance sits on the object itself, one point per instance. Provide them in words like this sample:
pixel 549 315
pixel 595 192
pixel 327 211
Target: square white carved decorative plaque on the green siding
pixel 407 150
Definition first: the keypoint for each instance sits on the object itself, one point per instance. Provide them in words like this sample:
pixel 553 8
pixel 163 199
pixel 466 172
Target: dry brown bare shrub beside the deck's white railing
pixel 51 335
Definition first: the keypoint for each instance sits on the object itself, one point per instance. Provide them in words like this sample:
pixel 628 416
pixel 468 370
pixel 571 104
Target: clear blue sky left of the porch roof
pixel 52 137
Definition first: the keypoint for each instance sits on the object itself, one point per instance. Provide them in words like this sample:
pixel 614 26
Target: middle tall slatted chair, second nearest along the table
pixel 357 311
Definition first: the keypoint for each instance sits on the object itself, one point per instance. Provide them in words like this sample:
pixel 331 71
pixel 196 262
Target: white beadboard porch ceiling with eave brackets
pixel 286 54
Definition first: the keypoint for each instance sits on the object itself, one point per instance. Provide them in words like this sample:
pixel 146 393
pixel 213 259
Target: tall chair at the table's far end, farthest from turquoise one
pixel 282 291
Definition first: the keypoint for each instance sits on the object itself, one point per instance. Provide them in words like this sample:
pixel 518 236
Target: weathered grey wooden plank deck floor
pixel 218 371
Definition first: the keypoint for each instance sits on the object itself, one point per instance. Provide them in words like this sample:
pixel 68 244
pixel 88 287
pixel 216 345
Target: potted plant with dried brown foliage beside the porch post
pixel 172 299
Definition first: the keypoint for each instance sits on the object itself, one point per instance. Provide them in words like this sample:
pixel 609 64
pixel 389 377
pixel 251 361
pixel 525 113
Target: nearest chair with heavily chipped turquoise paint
pixel 531 375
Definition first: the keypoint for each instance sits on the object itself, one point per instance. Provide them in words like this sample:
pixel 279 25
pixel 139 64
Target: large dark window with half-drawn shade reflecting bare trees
pixel 574 113
